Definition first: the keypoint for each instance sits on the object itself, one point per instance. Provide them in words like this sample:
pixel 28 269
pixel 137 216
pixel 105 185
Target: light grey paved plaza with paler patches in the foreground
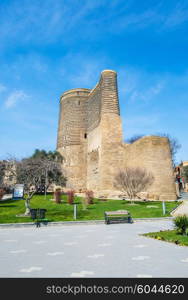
pixel 100 250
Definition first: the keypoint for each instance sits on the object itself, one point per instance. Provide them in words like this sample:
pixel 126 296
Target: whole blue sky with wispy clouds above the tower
pixel 47 47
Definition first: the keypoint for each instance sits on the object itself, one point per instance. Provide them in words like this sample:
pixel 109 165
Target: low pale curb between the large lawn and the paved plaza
pixel 69 223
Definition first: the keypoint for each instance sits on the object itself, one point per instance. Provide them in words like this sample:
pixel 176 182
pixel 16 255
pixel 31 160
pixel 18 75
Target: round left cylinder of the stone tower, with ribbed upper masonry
pixel 72 136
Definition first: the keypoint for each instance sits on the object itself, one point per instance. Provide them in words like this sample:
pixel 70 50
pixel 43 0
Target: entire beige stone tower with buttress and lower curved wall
pixel 90 139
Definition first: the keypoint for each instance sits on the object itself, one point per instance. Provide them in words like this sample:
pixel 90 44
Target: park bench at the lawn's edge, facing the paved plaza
pixel 118 216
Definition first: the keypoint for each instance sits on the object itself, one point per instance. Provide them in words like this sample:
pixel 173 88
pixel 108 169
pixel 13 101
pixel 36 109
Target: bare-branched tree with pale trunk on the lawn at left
pixel 34 172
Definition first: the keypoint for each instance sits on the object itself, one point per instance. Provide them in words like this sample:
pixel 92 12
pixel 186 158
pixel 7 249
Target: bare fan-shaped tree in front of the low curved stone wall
pixel 133 181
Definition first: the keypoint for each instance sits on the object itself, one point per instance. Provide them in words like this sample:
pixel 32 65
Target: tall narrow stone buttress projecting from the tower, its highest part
pixel 104 139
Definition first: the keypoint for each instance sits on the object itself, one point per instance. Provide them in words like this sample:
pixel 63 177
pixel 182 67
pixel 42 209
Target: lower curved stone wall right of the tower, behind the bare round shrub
pixel 153 154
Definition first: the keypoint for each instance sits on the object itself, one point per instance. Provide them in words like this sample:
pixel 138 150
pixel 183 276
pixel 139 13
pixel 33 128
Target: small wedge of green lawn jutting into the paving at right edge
pixel 169 236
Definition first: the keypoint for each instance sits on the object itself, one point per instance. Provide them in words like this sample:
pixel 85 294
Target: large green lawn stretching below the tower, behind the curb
pixel 64 212
